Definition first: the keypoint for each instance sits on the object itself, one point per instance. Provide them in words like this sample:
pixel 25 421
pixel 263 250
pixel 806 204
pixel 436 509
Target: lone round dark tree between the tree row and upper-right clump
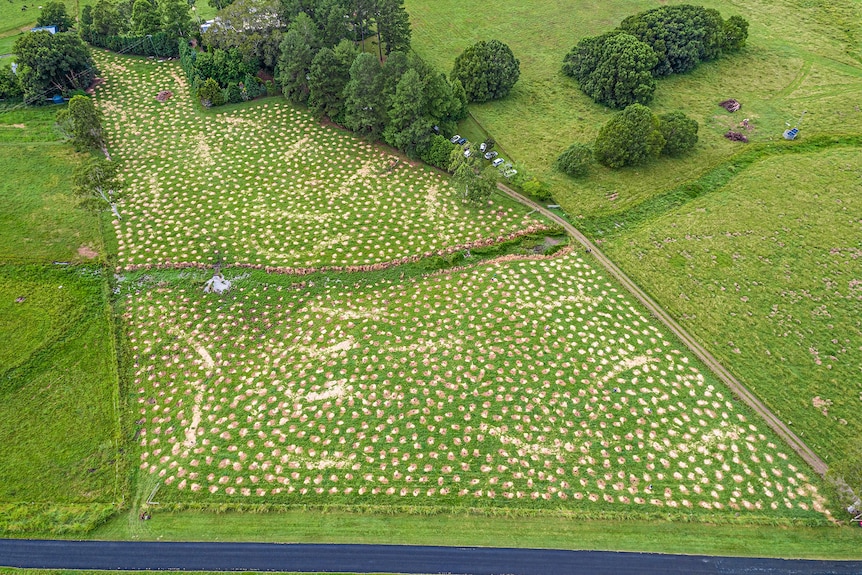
pixel 487 70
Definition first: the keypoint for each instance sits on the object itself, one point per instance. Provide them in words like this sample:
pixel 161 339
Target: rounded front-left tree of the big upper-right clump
pixel 613 69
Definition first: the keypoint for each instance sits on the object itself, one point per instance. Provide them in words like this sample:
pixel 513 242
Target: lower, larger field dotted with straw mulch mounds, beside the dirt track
pixel 522 383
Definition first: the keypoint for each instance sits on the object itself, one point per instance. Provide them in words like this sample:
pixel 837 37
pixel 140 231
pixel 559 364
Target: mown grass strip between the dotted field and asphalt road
pixel 468 530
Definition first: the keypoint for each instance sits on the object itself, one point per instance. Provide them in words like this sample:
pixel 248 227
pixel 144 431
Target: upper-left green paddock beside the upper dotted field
pixel 40 219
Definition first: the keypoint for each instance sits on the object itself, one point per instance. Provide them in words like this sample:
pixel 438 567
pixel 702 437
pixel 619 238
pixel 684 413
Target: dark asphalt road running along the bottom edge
pixel 134 555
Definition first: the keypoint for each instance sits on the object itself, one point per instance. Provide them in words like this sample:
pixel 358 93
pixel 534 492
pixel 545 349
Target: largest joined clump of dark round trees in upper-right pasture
pixel 619 68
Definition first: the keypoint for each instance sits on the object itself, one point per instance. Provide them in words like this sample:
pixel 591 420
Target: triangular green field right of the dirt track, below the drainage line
pixel 766 271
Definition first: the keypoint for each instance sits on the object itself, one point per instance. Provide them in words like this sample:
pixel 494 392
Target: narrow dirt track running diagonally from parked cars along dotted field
pixel 734 384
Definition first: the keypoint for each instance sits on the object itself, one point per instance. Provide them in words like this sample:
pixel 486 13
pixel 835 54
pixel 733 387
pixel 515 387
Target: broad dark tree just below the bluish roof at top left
pixel 51 63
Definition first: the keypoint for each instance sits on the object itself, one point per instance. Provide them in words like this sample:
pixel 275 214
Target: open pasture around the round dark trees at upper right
pixel 801 56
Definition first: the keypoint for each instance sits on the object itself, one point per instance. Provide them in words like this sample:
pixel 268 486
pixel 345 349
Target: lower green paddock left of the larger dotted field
pixel 58 420
